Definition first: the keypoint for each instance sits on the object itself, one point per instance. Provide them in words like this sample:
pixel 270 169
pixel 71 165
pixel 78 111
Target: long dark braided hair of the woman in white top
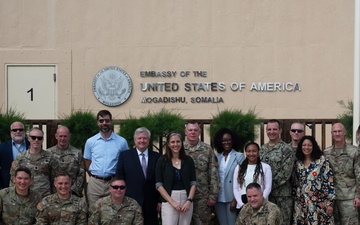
pixel 258 169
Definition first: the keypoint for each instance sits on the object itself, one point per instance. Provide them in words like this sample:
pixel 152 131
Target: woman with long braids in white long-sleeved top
pixel 249 171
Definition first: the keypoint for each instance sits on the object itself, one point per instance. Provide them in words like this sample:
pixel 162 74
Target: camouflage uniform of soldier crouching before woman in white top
pixel 268 214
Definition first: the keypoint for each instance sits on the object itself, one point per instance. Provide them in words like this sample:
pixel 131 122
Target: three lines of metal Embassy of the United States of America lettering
pixel 167 91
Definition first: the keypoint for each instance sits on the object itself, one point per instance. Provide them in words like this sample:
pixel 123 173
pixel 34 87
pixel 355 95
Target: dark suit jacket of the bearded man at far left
pixel 6 159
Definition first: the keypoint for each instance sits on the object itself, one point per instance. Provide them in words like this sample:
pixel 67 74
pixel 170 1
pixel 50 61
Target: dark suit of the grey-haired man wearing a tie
pixel 141 189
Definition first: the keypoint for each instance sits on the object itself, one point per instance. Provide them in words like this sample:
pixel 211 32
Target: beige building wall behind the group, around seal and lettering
pixel 304 41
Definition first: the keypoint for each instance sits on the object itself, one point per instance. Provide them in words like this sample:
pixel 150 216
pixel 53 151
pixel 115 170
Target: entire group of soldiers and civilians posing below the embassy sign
pixel 277 183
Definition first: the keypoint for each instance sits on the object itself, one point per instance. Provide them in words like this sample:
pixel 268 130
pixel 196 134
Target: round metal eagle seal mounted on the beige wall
pixel 112 86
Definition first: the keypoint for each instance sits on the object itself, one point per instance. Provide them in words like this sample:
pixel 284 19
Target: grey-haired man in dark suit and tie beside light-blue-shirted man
pixel 137 167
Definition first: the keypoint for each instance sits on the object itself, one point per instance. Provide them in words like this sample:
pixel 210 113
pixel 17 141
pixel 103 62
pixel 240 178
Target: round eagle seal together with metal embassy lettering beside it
pixel 112 86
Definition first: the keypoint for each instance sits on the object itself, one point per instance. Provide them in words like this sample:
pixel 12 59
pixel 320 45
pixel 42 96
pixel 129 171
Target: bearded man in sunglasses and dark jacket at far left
pixel 10 149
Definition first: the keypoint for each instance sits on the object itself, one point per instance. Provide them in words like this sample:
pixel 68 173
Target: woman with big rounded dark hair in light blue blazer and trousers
pixel 227 144
